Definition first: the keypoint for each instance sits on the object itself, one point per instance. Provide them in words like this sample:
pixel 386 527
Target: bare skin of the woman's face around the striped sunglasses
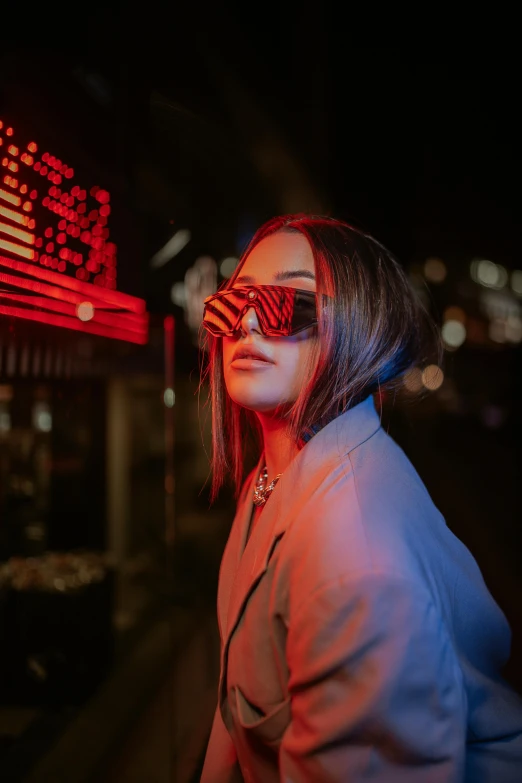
pixel 284 259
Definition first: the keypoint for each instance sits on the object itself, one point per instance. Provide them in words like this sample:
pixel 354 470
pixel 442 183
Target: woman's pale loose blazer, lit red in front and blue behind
pixel 358 639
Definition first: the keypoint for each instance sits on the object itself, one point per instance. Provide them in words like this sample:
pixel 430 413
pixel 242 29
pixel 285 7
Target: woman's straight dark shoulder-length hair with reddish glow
pixel 373 330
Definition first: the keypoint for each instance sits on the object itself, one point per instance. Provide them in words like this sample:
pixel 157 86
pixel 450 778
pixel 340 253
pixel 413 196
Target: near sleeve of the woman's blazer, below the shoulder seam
pixel 376 689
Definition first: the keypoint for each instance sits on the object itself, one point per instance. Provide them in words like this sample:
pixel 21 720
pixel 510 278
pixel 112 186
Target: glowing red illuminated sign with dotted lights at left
pixel 58 264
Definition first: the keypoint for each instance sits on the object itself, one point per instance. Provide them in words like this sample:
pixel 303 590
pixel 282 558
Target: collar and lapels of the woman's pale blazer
pixel 305 473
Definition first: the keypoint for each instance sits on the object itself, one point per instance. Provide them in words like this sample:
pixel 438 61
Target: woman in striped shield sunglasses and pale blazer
pixel 359 641
